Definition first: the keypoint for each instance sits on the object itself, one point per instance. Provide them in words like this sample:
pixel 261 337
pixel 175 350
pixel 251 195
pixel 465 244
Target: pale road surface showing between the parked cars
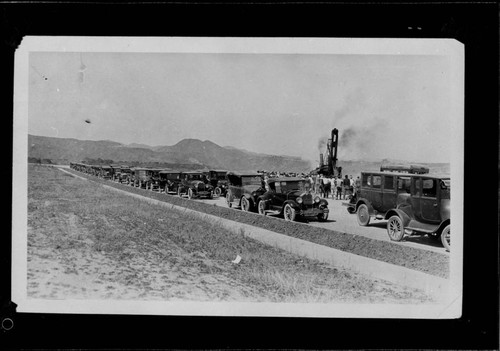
pixel 340 220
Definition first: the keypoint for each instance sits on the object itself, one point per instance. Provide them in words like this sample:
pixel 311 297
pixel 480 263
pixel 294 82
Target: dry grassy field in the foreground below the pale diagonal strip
pixel 90 243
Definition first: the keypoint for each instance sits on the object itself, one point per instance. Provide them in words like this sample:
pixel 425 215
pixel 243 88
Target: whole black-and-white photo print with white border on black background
pixel 239 176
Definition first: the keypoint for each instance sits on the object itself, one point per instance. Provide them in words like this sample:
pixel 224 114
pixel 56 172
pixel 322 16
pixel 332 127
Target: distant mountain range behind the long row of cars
pixel 186 154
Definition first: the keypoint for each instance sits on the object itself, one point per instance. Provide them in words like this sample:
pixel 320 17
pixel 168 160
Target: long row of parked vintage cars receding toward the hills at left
pixel 286 196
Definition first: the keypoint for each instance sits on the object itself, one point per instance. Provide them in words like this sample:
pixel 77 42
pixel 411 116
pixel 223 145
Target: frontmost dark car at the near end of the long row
pixel 291 197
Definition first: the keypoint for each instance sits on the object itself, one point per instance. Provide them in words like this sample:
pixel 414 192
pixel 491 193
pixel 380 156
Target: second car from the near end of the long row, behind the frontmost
pixel 244 190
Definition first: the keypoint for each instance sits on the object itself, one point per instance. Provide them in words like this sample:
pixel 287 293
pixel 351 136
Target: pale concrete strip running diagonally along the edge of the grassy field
pixel 432 285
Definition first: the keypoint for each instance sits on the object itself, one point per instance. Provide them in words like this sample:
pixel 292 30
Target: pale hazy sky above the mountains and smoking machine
pixel 385 106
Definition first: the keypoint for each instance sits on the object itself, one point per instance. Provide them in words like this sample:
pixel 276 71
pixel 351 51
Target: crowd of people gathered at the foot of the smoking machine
pixel 334 187
